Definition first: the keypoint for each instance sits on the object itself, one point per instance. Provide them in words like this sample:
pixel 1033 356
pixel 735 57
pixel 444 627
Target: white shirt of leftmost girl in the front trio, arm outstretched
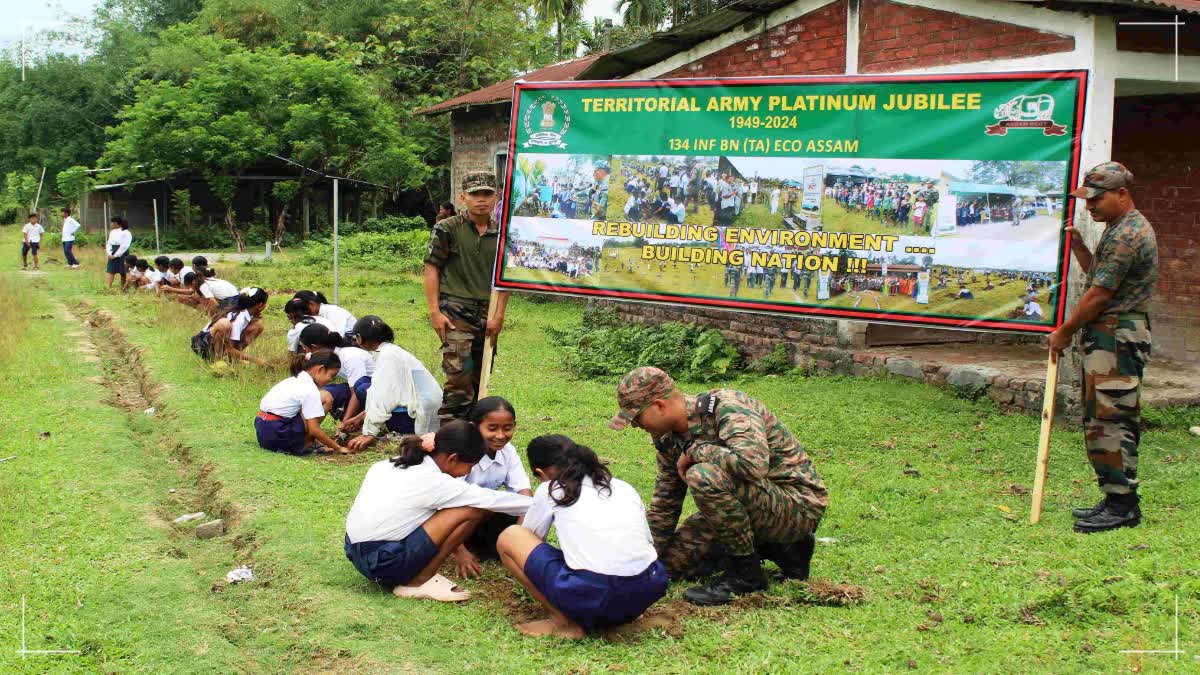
pixel 393 503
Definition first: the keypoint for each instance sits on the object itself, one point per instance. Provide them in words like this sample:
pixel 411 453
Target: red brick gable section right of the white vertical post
pixel 895 38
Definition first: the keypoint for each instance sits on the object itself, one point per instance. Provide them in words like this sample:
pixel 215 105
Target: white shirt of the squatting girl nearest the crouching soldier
pixel 601 533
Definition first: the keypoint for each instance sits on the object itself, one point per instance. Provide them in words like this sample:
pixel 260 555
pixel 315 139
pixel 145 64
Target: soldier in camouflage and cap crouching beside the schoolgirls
pixel 757 492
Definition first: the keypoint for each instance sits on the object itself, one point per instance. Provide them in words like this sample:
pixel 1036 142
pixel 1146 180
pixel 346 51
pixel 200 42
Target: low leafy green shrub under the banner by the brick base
pixel 603 348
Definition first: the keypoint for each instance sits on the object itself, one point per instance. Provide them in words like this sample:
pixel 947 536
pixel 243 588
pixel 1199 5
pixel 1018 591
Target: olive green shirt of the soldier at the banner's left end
pixel 465 260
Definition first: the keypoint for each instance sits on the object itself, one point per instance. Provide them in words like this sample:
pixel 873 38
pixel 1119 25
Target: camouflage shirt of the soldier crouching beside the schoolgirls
pixel 743 439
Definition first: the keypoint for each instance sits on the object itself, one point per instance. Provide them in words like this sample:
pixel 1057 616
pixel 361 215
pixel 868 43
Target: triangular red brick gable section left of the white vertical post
pixel 811 45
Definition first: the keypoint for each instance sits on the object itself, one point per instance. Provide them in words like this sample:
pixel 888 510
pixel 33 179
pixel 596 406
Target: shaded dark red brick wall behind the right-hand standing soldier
pixel 1159 139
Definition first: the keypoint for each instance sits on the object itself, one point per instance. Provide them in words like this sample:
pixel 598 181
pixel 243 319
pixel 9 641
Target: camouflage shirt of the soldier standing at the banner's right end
pixel 1126 262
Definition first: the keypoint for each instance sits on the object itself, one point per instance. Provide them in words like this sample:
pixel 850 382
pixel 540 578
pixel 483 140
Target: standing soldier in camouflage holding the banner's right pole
pixel 1115 342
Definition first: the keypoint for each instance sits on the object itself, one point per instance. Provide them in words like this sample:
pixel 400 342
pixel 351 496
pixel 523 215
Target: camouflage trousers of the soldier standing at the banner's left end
pixel 463 355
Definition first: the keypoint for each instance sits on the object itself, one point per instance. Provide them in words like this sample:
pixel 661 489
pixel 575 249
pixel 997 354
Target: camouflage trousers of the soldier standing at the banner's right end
pixel 1115 351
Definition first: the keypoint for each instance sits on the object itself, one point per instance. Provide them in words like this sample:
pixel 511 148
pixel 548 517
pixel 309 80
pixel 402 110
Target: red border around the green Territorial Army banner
pixel 1081 76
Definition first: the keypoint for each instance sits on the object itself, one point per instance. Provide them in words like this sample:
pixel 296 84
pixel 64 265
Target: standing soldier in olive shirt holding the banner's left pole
pixel 458 288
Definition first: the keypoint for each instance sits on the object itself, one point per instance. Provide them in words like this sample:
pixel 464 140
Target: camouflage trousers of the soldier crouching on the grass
pixel 735 518
